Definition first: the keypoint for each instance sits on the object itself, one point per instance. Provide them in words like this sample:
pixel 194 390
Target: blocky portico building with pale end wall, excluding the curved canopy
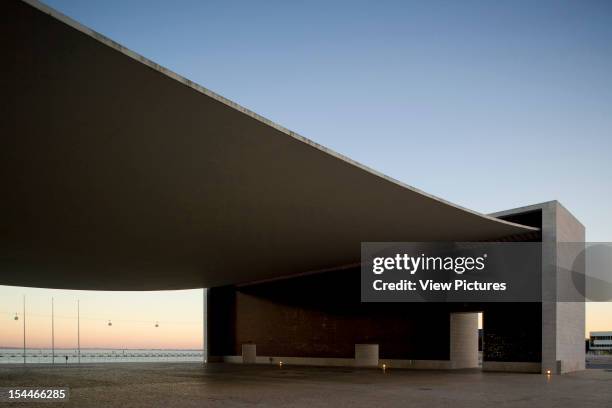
pixel 319 319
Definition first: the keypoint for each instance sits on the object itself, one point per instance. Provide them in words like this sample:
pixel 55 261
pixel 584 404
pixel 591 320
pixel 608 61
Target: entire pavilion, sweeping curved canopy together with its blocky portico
pixel 122 175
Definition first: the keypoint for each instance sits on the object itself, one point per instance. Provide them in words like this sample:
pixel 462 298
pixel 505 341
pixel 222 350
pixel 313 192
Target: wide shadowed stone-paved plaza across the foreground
pixel 227 385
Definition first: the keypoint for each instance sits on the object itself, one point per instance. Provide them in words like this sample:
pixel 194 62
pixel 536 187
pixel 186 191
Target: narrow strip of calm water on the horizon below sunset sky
pixel 38 356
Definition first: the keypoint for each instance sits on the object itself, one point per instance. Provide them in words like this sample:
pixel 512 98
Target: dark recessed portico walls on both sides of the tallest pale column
pixel 320 318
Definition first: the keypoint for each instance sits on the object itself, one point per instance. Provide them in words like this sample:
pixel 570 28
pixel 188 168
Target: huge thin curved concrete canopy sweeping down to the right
pixel 120 175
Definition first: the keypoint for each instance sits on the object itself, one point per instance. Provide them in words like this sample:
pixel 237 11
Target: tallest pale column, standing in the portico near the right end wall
pixel 464 340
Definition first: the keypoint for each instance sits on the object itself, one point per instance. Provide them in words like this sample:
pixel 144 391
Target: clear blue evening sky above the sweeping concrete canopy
pixel 489 105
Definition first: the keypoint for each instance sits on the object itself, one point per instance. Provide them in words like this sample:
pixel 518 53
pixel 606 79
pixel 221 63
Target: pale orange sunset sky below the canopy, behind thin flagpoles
pixel 133 316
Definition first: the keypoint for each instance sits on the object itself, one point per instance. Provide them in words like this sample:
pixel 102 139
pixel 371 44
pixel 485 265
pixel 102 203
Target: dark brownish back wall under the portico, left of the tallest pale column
pixel 321 316
